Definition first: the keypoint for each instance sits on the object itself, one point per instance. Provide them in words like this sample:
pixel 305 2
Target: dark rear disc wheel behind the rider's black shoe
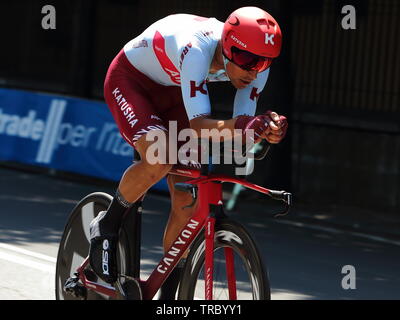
pixel 74 244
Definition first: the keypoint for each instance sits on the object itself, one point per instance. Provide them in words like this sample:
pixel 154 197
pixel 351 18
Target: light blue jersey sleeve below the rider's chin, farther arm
pixel 246 99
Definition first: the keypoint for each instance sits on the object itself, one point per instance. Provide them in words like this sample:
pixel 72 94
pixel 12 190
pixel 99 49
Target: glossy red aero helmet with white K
pixel 254 30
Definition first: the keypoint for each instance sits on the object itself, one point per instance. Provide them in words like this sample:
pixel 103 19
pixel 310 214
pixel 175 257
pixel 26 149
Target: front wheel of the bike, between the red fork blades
pixel 251 279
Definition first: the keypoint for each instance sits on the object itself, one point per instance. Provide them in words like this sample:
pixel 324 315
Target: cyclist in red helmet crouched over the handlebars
pixel 161 76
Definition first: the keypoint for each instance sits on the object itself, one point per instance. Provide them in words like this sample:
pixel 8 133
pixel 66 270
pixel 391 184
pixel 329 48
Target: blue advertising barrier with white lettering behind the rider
pixel 63 133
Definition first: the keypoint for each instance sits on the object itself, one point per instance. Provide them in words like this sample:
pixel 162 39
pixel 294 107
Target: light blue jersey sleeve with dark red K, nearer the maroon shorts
pixel 194 71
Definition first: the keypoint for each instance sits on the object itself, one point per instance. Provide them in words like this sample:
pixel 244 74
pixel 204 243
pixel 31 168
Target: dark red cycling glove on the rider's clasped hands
pixel 260 125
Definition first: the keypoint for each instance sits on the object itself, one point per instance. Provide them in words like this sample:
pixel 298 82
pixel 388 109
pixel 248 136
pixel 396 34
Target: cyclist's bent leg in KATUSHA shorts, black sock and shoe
pixel 135 116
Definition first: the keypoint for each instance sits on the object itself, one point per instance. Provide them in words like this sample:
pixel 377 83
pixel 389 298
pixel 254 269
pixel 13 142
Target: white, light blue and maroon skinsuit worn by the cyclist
pixel 171 58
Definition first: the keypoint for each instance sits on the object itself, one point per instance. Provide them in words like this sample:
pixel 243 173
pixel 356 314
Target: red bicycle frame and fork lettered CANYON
pixel 209 192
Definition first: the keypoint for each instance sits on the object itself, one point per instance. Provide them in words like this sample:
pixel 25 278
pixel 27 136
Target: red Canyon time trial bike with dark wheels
pixel 223 260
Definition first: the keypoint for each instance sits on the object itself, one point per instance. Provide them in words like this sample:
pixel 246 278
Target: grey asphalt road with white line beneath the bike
pixel 304 262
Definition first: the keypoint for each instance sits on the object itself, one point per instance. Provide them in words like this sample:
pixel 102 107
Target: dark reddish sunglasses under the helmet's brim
pixel 249 61
